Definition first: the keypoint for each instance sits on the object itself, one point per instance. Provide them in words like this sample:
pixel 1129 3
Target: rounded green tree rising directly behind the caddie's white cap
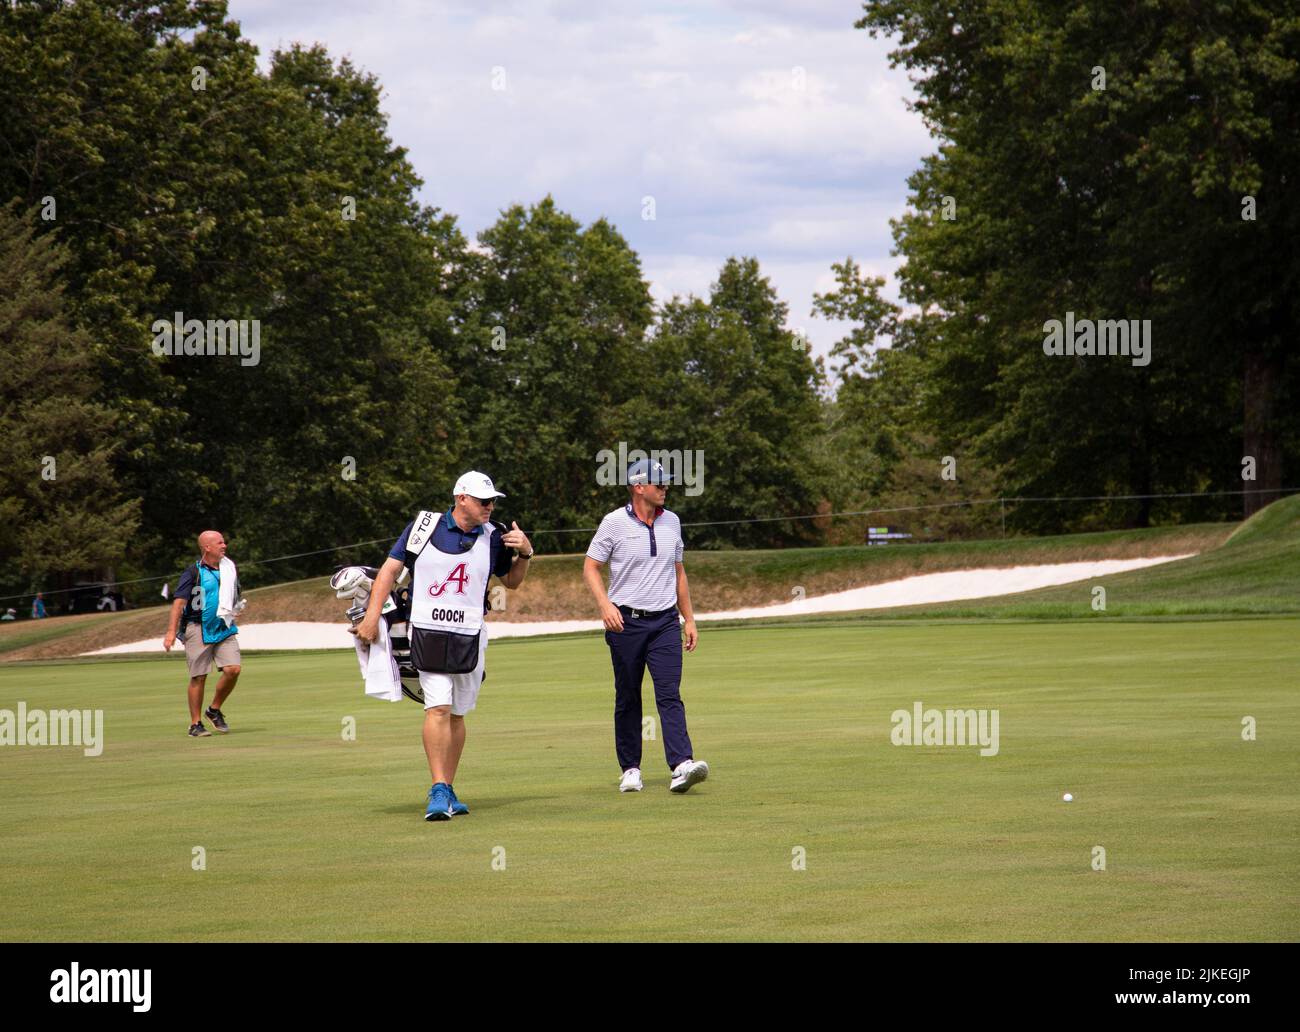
pixel 547 355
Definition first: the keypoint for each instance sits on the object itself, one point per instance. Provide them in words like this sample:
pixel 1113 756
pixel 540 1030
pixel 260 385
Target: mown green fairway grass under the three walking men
pixel 313 838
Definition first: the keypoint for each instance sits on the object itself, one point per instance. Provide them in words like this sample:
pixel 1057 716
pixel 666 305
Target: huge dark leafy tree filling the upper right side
pixel 1094 161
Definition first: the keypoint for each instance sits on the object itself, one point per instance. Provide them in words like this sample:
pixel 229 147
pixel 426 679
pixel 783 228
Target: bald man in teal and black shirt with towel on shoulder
pixel 209 638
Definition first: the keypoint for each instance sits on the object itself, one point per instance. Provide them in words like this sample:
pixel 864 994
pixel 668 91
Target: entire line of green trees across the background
pixel 153 172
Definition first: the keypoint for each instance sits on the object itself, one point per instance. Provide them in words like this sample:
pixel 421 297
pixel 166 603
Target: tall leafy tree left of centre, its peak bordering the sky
pixel 356 415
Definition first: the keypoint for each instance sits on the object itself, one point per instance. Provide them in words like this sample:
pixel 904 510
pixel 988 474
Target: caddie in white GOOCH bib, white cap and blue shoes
pixel 452 556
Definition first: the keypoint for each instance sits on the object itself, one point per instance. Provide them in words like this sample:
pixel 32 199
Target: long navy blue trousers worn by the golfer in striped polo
pixel 655 644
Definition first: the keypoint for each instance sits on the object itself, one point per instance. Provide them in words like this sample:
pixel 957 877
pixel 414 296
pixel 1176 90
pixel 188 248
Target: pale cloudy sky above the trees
pixel 761 128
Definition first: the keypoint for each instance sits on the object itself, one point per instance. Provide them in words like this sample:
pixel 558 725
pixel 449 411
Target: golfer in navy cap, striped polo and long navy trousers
pixel 648 588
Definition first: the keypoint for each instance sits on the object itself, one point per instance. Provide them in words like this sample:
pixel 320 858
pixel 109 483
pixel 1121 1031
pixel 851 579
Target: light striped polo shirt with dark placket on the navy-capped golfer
pixel 643 558
